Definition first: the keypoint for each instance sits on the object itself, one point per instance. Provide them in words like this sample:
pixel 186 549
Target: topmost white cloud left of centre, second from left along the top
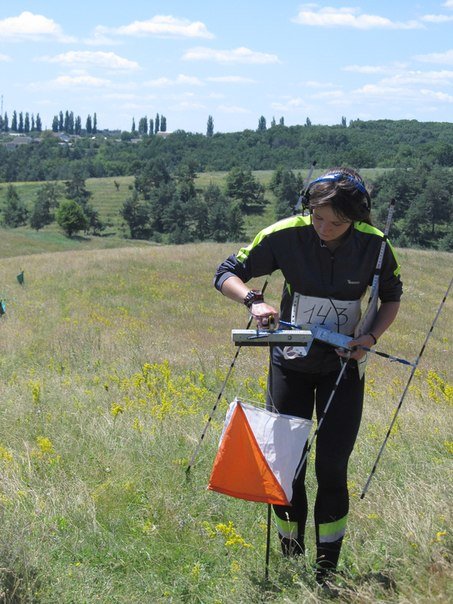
pixel 161 25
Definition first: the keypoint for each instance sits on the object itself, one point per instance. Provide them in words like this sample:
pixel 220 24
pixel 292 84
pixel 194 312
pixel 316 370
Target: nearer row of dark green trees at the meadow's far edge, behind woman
pixel 166 206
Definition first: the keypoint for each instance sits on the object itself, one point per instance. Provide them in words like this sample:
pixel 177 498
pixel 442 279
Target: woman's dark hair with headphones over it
pixel 344 190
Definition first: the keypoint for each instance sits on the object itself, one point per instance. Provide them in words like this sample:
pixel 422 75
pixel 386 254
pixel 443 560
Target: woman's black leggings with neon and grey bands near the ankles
pixel 295 393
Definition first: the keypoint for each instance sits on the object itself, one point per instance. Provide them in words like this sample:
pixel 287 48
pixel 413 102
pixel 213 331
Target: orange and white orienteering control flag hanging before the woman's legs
pixel 258 454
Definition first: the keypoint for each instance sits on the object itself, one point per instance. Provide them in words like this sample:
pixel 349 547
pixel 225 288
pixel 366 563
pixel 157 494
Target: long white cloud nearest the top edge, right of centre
pixel 328 16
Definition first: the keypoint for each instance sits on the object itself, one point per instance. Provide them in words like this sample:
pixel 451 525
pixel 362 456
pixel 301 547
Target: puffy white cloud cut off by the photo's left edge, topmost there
pixel 33 27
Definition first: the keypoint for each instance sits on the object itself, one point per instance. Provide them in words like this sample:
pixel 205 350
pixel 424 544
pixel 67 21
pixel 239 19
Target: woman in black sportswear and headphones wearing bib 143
pixel 327 259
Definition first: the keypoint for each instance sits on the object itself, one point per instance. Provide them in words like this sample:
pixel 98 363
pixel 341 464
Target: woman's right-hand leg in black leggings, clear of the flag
pixel 334 445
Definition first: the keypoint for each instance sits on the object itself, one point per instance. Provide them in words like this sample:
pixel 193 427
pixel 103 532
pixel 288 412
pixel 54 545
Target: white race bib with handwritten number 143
pixel 340 316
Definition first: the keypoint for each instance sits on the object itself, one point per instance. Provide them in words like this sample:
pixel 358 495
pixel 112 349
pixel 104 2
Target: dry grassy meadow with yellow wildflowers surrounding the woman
pixel 111 360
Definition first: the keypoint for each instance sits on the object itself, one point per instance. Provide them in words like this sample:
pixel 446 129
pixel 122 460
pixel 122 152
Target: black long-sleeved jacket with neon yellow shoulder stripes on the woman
pixel 309 268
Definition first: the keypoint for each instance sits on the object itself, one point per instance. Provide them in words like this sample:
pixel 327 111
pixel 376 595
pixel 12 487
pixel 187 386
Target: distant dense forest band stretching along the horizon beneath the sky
pixel 382 143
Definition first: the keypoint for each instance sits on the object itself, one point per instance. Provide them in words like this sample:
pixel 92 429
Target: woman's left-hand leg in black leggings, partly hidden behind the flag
pixel 292 393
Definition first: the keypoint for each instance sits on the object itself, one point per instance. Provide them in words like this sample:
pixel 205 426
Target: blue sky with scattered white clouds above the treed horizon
pixel 235 60
